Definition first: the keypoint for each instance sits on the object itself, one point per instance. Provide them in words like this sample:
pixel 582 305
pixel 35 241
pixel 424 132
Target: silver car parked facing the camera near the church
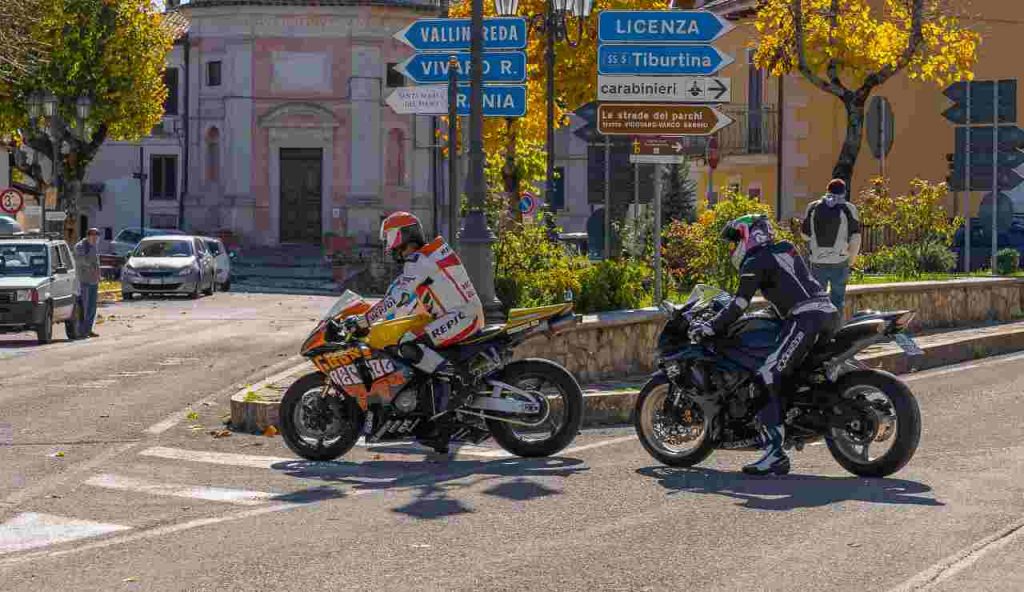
pixel 169 265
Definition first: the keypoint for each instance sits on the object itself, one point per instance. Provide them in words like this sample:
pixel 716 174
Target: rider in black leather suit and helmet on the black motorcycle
pixel 784 279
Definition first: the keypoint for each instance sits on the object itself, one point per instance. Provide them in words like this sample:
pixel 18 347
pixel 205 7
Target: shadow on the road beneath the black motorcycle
pixel 791 492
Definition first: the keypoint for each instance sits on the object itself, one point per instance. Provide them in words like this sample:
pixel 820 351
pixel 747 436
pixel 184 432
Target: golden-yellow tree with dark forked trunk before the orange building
pixel 848 49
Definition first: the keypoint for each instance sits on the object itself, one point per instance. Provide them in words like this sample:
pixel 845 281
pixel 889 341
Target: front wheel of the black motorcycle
pixel 649 421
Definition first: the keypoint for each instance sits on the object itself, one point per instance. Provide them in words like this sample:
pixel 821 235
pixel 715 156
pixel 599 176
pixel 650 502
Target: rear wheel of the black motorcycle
pixel 850 448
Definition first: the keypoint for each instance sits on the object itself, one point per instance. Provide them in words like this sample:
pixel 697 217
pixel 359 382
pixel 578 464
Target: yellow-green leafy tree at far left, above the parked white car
pixel 112 52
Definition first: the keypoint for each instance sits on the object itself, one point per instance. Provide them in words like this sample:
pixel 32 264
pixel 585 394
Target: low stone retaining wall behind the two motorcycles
pixel 622 344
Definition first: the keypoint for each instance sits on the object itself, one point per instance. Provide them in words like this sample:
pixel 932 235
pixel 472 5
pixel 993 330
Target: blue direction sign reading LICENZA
pixel 661 27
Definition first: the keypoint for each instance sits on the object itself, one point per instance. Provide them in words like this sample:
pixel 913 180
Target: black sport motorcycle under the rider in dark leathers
pixel 705 397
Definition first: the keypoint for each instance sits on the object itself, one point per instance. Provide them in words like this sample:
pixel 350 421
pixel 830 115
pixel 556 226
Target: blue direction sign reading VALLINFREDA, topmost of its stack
pixel 454 34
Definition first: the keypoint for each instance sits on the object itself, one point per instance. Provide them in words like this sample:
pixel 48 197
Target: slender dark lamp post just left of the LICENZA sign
pixel 556 26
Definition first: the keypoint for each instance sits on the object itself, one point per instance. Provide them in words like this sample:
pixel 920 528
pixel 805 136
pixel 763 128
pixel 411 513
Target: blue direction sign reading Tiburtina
pixel 661 60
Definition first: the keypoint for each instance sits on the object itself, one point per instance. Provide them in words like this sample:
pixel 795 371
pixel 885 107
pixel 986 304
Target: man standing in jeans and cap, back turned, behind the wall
pixel 832 229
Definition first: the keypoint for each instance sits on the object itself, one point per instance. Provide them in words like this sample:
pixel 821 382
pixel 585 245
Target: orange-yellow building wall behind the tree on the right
pixel 810 125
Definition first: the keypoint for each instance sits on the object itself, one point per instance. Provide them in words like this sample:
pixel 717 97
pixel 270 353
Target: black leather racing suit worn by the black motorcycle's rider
pixel 783 277
